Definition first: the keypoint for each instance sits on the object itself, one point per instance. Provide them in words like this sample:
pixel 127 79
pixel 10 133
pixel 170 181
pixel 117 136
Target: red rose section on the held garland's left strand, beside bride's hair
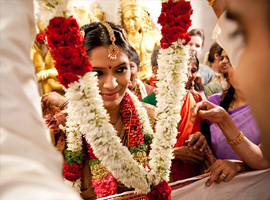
pixel 65 43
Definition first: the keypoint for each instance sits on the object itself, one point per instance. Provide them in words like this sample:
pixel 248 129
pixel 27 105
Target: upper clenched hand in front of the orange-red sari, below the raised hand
pixel 198 141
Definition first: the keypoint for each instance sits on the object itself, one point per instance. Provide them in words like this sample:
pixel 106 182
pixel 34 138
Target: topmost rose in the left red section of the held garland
pixel 58 25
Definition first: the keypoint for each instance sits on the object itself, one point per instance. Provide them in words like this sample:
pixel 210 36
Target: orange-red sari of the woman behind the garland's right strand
pixel 180 170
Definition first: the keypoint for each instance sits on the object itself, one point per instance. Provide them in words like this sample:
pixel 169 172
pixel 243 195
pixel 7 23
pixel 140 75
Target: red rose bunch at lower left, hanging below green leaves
pixel 73 172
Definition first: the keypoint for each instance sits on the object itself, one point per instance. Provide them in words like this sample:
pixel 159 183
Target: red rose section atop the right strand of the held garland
pixel 175 21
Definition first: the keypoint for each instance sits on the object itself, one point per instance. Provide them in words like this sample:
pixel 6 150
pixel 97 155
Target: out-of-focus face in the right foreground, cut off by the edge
pixel 252 71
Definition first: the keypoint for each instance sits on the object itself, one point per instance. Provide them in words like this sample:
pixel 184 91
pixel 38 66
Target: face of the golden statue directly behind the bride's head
pixel 132 20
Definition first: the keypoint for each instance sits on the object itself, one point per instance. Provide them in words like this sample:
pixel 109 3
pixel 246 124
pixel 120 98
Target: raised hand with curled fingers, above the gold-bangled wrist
pixel 209 111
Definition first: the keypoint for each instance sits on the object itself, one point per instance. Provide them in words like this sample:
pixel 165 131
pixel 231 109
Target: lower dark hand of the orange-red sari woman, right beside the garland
pixel 188 155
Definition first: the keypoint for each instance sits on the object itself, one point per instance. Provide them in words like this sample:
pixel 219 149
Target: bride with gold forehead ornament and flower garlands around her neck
pixel 113 81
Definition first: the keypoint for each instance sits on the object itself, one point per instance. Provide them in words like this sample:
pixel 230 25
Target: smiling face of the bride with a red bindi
pixel 113 75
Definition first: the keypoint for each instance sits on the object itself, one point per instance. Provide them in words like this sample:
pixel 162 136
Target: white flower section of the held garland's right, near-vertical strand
pixel 170 90
